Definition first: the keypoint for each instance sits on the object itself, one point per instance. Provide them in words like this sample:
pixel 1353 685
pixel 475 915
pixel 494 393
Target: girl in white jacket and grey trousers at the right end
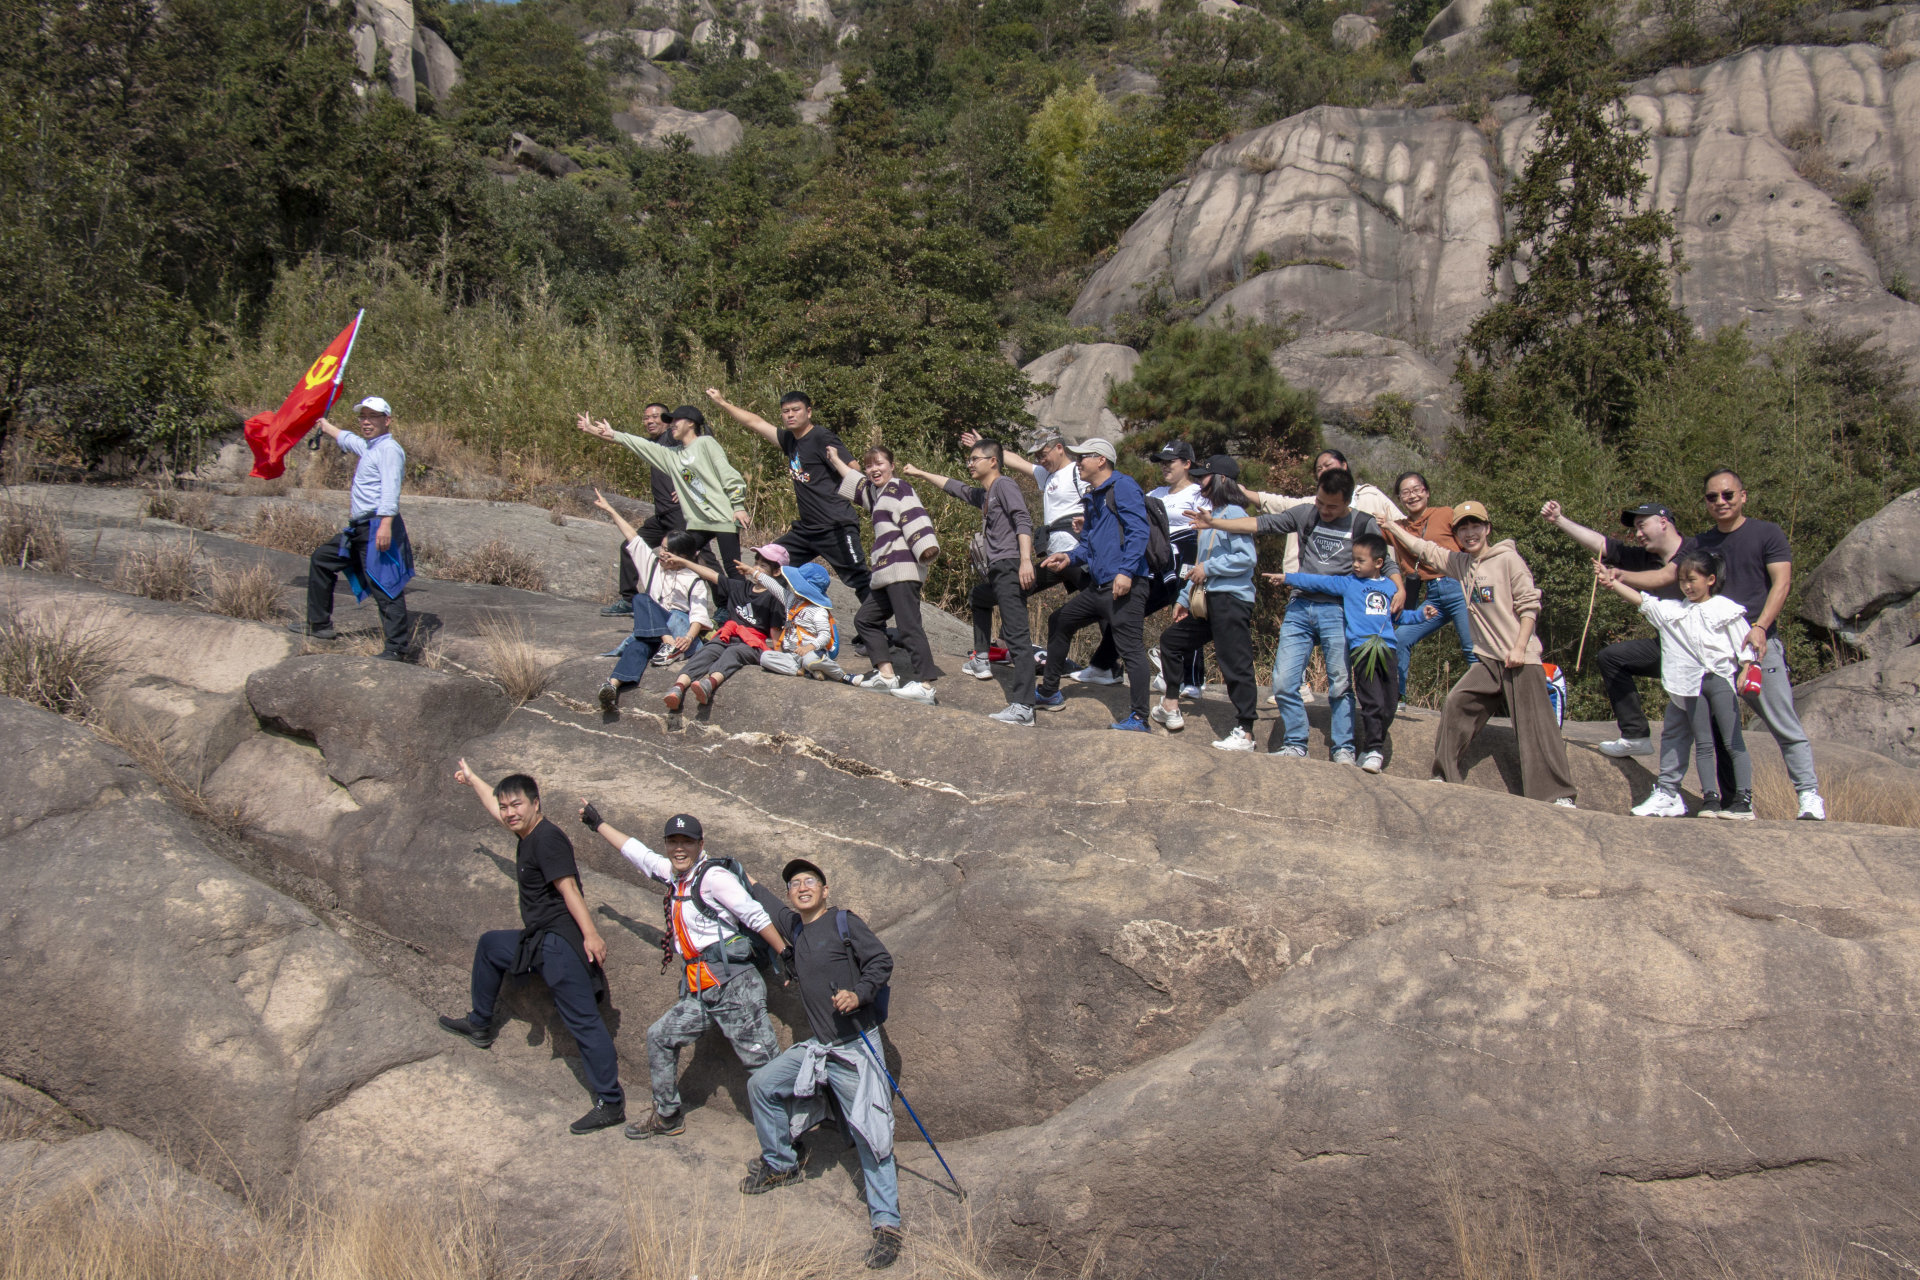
pixel 1704 644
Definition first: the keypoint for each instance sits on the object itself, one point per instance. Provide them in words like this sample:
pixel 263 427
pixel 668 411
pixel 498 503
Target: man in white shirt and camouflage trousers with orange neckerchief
pixel 709 914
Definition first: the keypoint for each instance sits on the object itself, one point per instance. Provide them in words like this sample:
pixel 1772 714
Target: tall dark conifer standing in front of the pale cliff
pixel 1591 318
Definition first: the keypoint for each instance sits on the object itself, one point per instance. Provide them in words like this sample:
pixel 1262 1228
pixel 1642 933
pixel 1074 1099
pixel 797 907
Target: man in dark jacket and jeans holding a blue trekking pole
pixel 844 972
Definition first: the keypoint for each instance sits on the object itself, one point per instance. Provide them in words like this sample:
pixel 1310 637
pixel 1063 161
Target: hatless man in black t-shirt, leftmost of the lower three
pixel 558 937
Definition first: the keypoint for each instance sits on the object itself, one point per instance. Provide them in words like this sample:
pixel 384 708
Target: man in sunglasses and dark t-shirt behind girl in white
pixel 1760 575
